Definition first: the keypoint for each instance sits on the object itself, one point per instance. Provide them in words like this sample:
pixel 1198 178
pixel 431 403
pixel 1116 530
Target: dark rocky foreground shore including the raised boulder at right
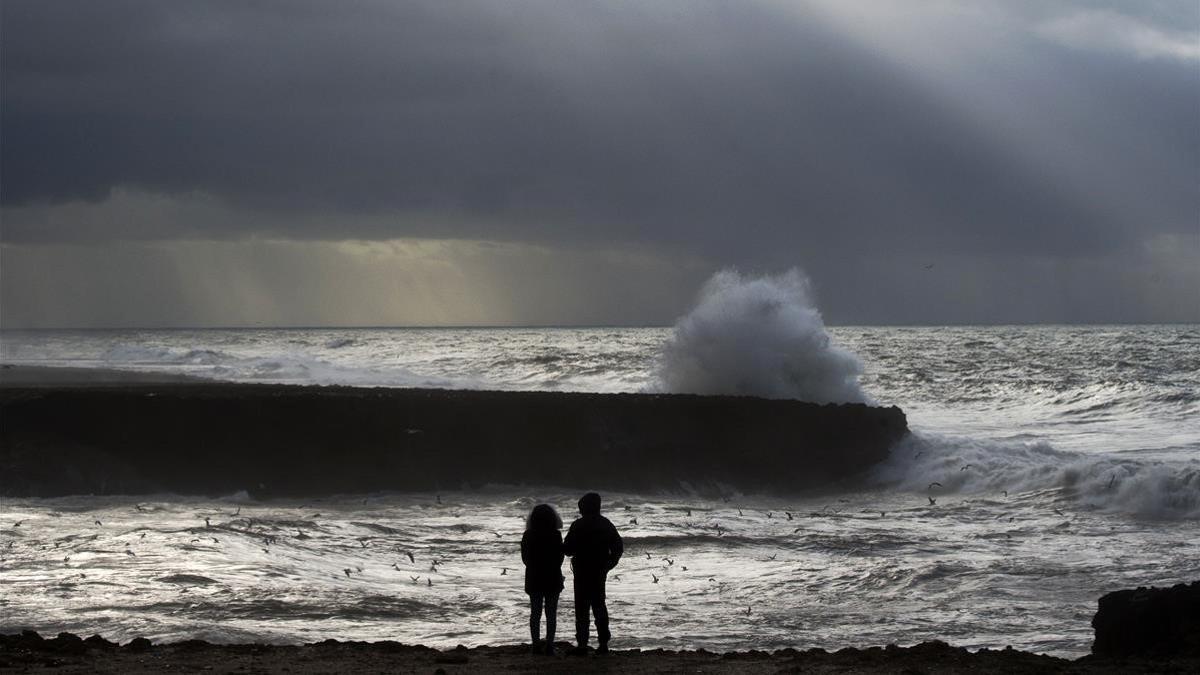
pixel 1137 631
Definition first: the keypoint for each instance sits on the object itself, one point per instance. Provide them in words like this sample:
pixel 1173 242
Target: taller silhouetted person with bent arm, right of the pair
pixel 596 548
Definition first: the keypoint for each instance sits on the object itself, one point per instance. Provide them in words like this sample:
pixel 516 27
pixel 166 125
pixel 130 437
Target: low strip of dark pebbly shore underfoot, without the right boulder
pixel 70 654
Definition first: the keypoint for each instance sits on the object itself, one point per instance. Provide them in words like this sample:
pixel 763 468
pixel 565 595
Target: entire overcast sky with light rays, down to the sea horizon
pixel 547 163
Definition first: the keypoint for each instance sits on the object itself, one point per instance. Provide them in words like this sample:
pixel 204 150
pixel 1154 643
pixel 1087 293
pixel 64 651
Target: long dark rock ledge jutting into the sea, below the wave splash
pixel 272 440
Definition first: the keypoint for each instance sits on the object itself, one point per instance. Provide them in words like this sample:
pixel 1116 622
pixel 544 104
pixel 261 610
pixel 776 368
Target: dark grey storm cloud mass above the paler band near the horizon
pixel 742 132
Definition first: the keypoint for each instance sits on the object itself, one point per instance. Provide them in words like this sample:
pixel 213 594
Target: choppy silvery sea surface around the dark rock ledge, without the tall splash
pixel 1048 465
